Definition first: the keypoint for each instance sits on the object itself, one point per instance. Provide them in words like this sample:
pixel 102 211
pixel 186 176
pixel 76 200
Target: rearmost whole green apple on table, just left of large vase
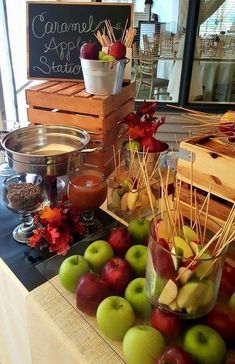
pixel 139 229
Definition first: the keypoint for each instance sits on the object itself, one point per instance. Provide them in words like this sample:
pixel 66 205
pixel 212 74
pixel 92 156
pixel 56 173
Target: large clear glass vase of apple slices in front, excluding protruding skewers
pixel 184 265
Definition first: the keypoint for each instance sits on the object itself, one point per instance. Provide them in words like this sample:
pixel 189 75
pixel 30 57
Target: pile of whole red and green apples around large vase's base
pixel 109 282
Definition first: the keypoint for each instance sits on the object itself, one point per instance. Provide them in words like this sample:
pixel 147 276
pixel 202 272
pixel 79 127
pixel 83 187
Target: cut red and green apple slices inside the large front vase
pixel 189 289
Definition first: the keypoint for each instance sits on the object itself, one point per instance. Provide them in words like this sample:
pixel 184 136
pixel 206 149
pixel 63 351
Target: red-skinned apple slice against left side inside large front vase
pixel 162 260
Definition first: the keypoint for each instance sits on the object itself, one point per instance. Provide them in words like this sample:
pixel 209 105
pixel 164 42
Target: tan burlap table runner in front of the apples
pixel 60 334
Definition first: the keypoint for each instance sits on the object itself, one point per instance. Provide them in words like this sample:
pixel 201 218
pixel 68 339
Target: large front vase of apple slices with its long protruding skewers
pixel 187 253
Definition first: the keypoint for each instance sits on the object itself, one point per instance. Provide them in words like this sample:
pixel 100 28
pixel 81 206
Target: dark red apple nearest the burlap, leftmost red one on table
pixel 91 290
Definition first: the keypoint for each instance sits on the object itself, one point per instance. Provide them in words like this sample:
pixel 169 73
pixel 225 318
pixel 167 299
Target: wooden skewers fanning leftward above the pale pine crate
pixel 219 126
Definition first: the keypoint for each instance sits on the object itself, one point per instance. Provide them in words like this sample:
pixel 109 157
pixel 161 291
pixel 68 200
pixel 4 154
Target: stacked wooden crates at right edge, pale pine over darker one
pixel 204 162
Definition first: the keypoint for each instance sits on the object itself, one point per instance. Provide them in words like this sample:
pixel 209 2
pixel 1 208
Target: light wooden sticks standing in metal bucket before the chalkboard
pixel 107 36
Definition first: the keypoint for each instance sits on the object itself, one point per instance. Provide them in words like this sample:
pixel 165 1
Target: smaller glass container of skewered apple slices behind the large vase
pixel 127 195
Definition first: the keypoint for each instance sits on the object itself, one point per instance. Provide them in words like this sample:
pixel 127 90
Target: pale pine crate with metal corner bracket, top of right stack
pixel 206 161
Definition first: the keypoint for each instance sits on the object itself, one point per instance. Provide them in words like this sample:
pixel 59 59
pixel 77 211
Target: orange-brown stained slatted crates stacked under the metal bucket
pixel 68 103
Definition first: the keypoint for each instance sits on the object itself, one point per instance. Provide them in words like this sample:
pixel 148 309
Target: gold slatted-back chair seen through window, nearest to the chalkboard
pixel 148 76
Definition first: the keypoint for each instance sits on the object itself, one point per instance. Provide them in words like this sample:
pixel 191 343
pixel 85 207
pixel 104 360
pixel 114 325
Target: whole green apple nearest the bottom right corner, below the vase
pixel 205 345
